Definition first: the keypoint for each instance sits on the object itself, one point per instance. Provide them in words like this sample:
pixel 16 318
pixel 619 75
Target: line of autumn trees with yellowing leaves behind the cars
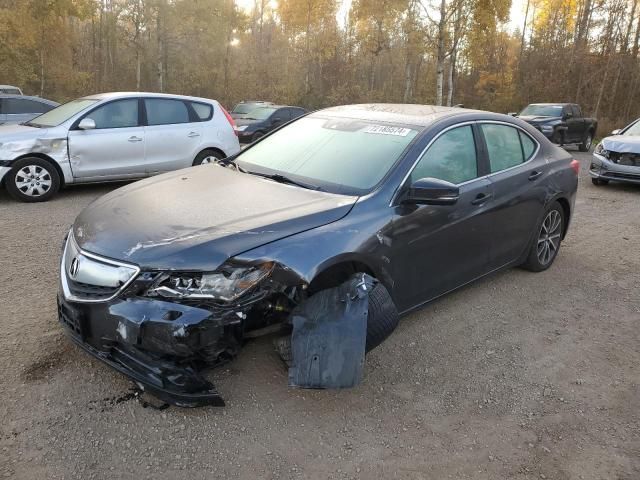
pixel 317 53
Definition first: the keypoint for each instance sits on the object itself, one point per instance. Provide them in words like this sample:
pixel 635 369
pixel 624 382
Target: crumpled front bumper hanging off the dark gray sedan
pixel 150 341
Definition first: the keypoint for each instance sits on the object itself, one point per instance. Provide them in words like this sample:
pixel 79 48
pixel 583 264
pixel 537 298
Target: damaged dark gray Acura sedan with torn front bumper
pixel 321 233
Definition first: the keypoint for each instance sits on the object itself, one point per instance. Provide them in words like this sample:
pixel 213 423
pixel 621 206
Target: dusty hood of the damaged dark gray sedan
pixel 195 219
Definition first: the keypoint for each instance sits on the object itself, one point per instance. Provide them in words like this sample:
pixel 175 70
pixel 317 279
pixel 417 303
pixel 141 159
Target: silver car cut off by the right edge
pixel 617 157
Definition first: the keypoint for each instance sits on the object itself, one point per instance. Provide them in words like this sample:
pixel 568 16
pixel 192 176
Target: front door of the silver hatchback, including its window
pixel 115 148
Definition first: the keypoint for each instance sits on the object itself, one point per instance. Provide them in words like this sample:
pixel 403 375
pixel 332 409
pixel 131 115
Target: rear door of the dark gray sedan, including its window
pixel 516 174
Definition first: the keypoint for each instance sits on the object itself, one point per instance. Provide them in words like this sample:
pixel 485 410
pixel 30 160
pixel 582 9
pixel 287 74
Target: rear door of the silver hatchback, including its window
pixel 173 134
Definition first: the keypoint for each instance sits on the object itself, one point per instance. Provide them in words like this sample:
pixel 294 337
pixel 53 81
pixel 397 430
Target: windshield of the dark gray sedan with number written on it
pixel 338 155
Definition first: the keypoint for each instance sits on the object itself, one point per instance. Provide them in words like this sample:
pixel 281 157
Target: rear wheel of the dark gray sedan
pixel 546 245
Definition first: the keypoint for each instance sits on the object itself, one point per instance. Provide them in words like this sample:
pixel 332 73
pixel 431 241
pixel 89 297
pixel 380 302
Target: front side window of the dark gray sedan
pixel 452 157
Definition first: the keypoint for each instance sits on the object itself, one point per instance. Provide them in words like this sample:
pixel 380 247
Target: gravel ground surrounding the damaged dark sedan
pixel 520 376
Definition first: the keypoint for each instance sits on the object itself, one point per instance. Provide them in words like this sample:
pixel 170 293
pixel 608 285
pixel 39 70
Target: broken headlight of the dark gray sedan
pixel 226 284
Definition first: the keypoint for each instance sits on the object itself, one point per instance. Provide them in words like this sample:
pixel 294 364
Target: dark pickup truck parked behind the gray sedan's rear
pixel 562 123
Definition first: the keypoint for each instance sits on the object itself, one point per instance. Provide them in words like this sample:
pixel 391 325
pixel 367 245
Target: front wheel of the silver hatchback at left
pixel 32 180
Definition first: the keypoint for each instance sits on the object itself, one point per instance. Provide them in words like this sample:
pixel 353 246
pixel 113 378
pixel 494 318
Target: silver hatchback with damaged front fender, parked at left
pixel 112 136
